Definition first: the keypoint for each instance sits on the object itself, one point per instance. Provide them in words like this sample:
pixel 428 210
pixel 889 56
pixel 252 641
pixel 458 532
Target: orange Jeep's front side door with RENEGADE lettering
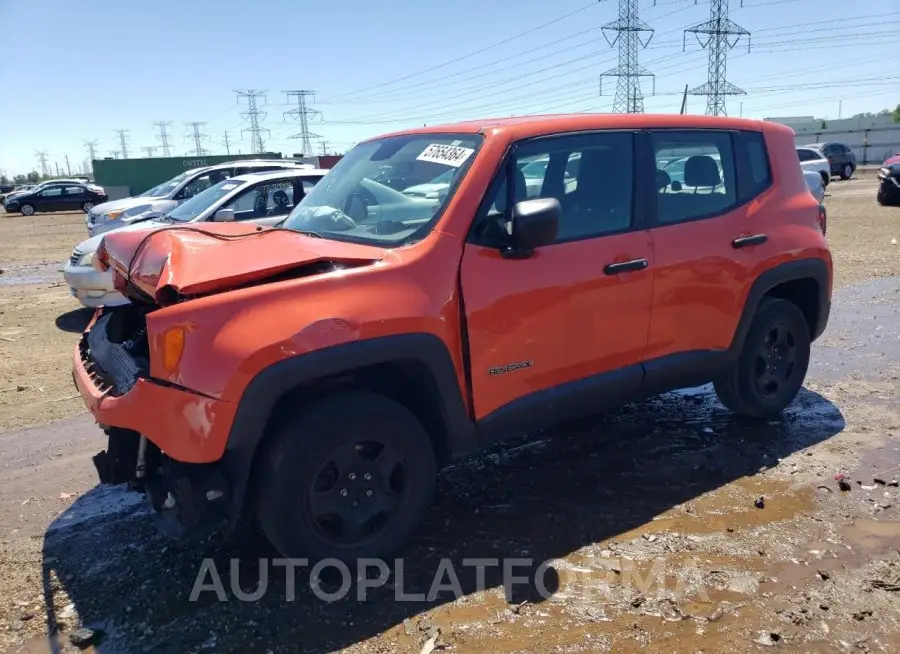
pixel 543 330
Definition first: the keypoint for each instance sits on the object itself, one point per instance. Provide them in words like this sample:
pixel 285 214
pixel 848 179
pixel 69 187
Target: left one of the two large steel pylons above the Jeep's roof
pixel 628 28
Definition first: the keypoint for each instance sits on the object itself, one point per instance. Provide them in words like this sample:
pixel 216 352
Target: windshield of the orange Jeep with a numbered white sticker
pixel 361 199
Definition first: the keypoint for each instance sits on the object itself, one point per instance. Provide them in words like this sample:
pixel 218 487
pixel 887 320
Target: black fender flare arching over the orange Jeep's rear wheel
pixel 808 268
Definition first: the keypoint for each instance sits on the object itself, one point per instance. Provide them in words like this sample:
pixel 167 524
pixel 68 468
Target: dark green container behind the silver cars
pixel 125 177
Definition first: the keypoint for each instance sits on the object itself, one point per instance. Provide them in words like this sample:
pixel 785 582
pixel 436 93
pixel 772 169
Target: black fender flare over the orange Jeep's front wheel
pixel 269 385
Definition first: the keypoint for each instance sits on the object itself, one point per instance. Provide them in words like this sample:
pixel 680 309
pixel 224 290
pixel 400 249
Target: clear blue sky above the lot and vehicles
pixel 77 71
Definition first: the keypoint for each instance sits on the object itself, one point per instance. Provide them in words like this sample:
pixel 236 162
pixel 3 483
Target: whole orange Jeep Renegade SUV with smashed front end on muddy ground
pixel 441 289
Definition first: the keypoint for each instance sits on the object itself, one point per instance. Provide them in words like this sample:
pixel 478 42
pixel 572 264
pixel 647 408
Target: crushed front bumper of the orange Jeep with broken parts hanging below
pixel 164 439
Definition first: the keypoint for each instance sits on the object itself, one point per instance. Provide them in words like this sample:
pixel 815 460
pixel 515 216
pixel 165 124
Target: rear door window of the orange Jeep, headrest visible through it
pixel 695 176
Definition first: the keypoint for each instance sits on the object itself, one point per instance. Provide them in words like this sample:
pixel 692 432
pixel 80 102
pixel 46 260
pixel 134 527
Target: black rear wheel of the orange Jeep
pixel 773 362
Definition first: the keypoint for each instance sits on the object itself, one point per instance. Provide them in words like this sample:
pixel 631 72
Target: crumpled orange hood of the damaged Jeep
pixel 187 260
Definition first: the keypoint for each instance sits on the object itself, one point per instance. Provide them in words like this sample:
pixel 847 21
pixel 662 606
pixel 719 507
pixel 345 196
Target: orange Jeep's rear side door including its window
pixel 707 235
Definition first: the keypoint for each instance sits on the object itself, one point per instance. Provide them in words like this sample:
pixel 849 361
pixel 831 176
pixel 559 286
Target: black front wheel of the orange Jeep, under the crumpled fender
pixel 344 444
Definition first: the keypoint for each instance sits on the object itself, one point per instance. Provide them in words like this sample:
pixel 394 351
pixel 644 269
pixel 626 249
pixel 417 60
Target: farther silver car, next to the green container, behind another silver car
pixel 168 195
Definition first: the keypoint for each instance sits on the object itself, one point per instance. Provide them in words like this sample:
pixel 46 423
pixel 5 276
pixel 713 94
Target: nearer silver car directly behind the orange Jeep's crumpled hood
pixel 260 198
